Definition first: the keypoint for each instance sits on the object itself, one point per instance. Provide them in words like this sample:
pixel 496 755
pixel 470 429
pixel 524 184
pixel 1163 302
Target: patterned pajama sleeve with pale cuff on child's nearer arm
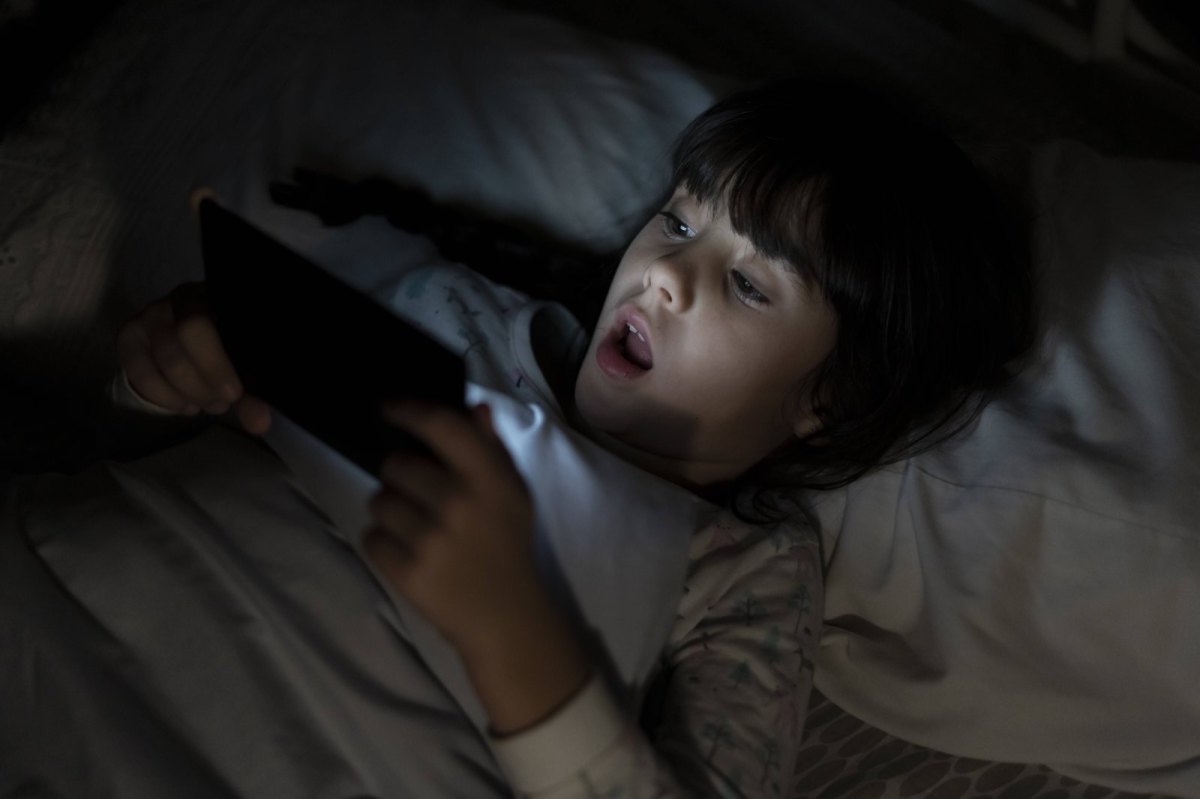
pixel 729 701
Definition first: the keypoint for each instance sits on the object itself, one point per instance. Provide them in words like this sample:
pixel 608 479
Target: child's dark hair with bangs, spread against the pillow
pixel 926 267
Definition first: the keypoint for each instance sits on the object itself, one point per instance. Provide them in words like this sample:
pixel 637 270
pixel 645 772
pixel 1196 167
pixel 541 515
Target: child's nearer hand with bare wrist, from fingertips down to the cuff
pixel 455 538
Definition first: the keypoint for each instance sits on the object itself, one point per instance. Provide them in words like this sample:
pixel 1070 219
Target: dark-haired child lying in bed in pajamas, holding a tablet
pixel 826 287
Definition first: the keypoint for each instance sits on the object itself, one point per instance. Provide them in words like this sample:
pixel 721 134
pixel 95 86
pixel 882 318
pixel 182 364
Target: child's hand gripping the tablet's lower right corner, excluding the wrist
pixel 455 537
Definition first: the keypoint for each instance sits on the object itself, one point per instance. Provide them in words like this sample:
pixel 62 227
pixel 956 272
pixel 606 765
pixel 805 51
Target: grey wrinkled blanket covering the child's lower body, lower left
pixel 189 626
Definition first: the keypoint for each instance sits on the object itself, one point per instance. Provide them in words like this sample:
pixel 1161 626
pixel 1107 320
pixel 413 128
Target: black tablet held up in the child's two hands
pixel 316 350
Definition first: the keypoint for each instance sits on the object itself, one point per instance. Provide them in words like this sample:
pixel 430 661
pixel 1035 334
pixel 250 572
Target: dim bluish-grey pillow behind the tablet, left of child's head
pixel 509 113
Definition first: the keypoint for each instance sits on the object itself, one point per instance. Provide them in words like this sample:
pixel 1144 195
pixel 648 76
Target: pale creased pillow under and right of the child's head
pixel 1029 592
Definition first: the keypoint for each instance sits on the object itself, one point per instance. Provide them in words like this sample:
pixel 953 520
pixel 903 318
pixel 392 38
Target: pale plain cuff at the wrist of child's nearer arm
pixel 567 743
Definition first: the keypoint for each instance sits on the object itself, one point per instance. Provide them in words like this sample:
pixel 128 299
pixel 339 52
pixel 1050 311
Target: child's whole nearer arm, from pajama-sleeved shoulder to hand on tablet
pixel 455 539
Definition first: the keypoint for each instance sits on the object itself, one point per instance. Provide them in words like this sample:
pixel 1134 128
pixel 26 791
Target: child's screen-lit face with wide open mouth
pixel 729 335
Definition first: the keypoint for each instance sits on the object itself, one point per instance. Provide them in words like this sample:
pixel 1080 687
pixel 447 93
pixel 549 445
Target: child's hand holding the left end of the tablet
pixel 173 358
